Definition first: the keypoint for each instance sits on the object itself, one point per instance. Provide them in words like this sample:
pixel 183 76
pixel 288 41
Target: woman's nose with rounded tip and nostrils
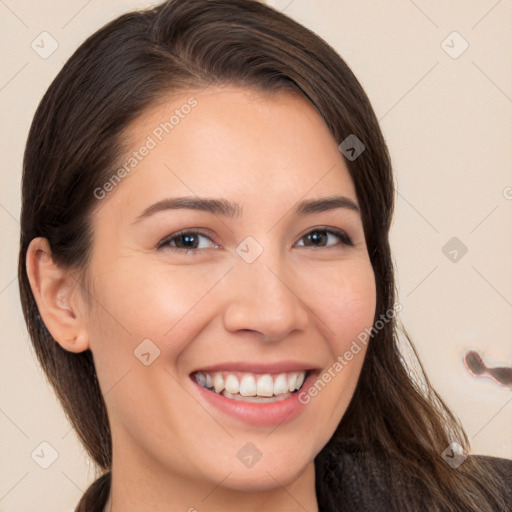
pixel 264 299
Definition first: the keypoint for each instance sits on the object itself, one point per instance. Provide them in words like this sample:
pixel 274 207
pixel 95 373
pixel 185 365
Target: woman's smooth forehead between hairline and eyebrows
pixel 228 141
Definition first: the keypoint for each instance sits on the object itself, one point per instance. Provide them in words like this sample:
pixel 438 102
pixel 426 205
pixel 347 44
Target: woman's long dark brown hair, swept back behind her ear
pixel 75 142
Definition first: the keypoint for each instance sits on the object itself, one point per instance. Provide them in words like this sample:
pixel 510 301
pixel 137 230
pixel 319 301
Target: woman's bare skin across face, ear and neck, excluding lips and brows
pixel 171 451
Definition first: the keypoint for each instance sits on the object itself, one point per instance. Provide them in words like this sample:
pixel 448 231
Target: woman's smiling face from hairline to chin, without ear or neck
pixel 266 290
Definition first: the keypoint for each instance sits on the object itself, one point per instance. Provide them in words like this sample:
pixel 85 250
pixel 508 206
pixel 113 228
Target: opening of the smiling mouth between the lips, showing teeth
pixel 252 387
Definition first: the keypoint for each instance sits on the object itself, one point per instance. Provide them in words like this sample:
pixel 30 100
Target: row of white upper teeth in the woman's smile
pixel 250 384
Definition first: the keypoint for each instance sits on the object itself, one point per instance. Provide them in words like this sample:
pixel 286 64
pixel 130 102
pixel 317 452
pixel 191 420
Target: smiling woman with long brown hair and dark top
pixel 207 280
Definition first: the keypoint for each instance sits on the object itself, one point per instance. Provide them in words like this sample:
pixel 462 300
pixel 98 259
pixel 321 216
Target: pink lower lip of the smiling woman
pixel 258 414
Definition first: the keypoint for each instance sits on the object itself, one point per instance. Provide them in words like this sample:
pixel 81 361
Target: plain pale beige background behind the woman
pixel 448 125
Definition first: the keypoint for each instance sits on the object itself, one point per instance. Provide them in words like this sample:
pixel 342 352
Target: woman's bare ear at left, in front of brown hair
pixel 58 298
